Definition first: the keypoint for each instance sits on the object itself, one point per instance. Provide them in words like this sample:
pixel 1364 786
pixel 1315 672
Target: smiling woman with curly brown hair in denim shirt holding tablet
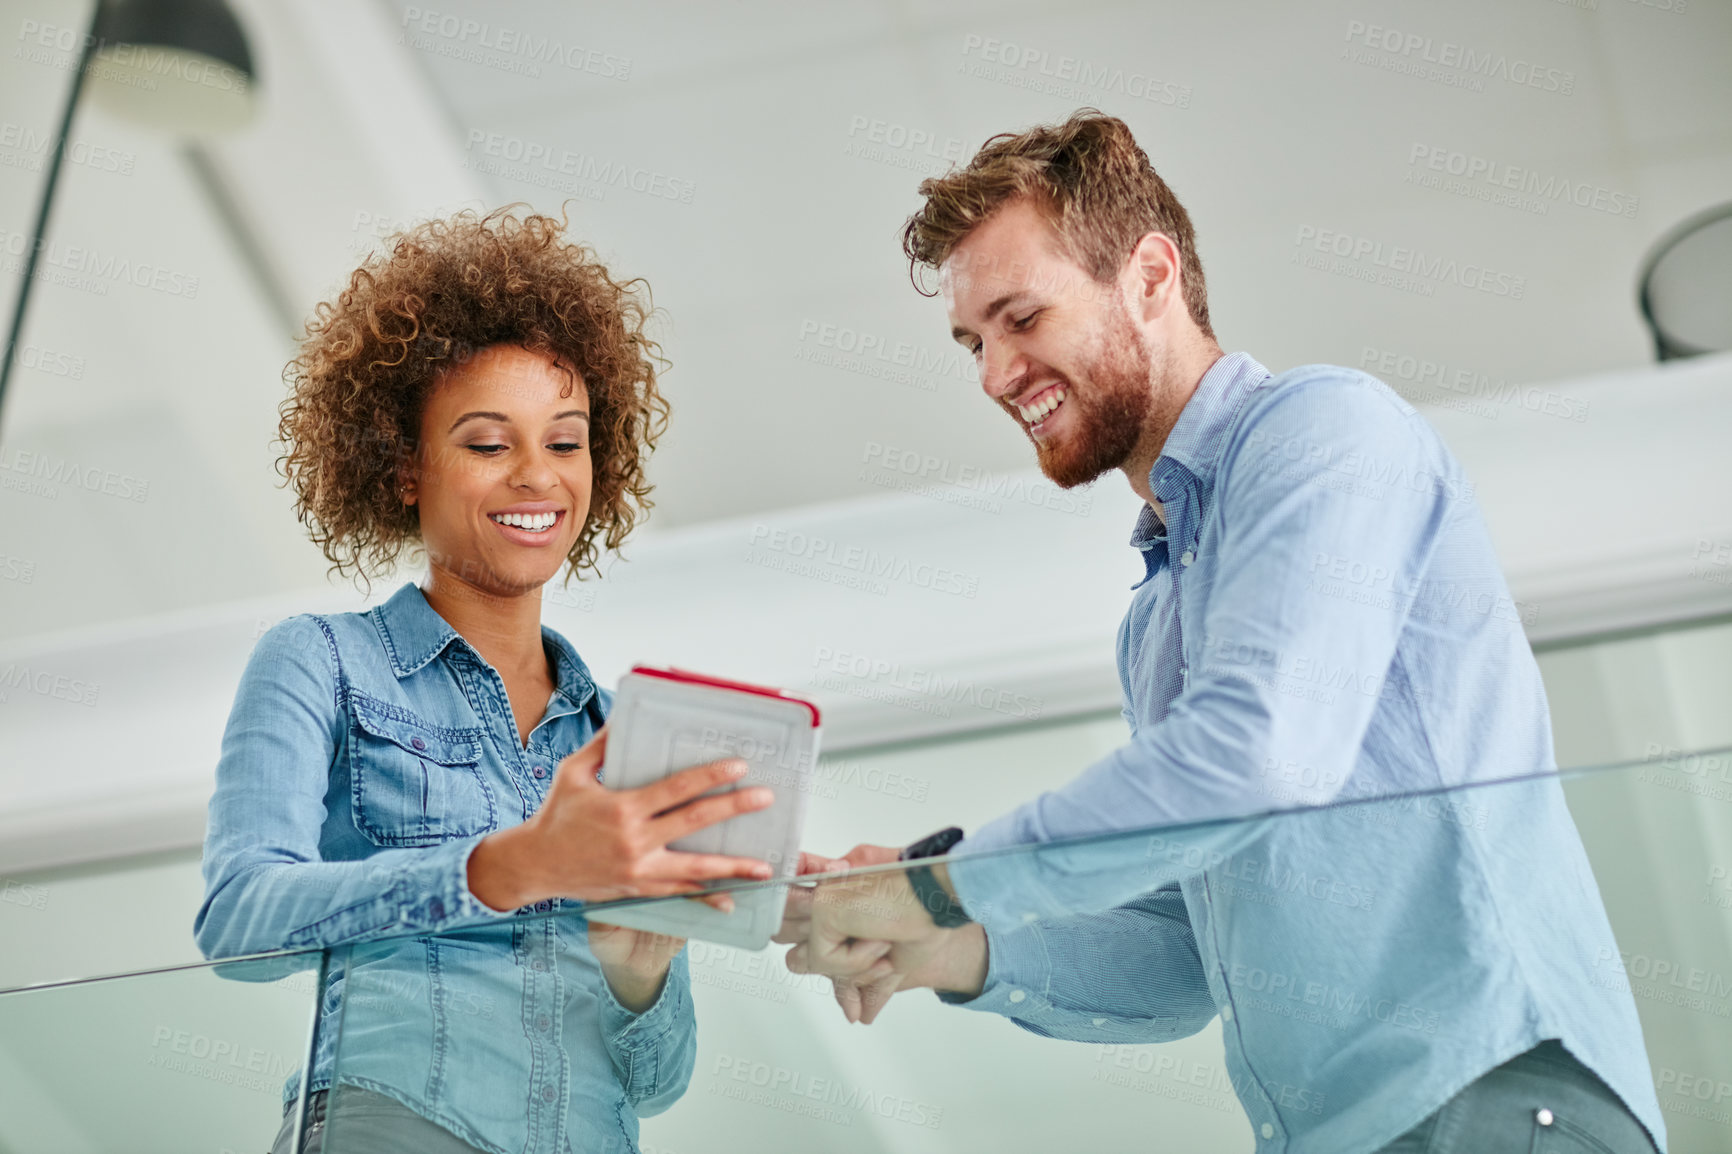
pixel 484 392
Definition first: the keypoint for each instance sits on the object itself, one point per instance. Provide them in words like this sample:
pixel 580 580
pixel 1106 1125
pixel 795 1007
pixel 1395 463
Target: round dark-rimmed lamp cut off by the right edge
pixel 1686 288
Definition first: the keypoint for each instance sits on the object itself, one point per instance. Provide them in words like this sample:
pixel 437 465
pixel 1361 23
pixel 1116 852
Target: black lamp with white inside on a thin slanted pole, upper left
pixel 181 67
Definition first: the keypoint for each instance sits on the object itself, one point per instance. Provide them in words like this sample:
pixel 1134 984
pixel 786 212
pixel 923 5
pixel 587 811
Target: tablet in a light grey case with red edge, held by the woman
pixel 669 720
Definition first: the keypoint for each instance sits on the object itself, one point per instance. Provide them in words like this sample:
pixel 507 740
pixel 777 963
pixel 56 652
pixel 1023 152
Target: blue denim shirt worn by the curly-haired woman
pixel 365 758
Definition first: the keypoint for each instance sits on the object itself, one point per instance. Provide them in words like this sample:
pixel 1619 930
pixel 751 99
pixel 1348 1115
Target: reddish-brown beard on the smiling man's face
pixel 1109 417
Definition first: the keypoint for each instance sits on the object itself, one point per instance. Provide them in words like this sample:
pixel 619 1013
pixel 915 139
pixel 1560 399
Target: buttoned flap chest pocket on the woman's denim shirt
pixel 415 784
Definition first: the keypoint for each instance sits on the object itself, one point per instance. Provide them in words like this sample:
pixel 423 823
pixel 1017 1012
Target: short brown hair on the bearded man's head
pixel 1090 179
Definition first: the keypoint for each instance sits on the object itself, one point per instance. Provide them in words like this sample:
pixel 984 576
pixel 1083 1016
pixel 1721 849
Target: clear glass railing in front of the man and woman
pixel 1309 980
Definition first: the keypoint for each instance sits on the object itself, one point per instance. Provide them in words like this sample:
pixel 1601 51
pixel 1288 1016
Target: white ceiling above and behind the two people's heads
pixel 787 231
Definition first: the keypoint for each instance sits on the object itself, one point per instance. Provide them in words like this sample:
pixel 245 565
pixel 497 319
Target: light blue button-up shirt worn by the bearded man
pixel 1322 621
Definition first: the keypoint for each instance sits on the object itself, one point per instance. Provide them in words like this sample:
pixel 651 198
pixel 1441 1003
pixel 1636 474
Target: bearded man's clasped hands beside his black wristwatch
pixel 872 937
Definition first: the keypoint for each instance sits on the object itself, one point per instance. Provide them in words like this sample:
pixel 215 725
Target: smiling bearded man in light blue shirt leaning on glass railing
pixel 1390 976
